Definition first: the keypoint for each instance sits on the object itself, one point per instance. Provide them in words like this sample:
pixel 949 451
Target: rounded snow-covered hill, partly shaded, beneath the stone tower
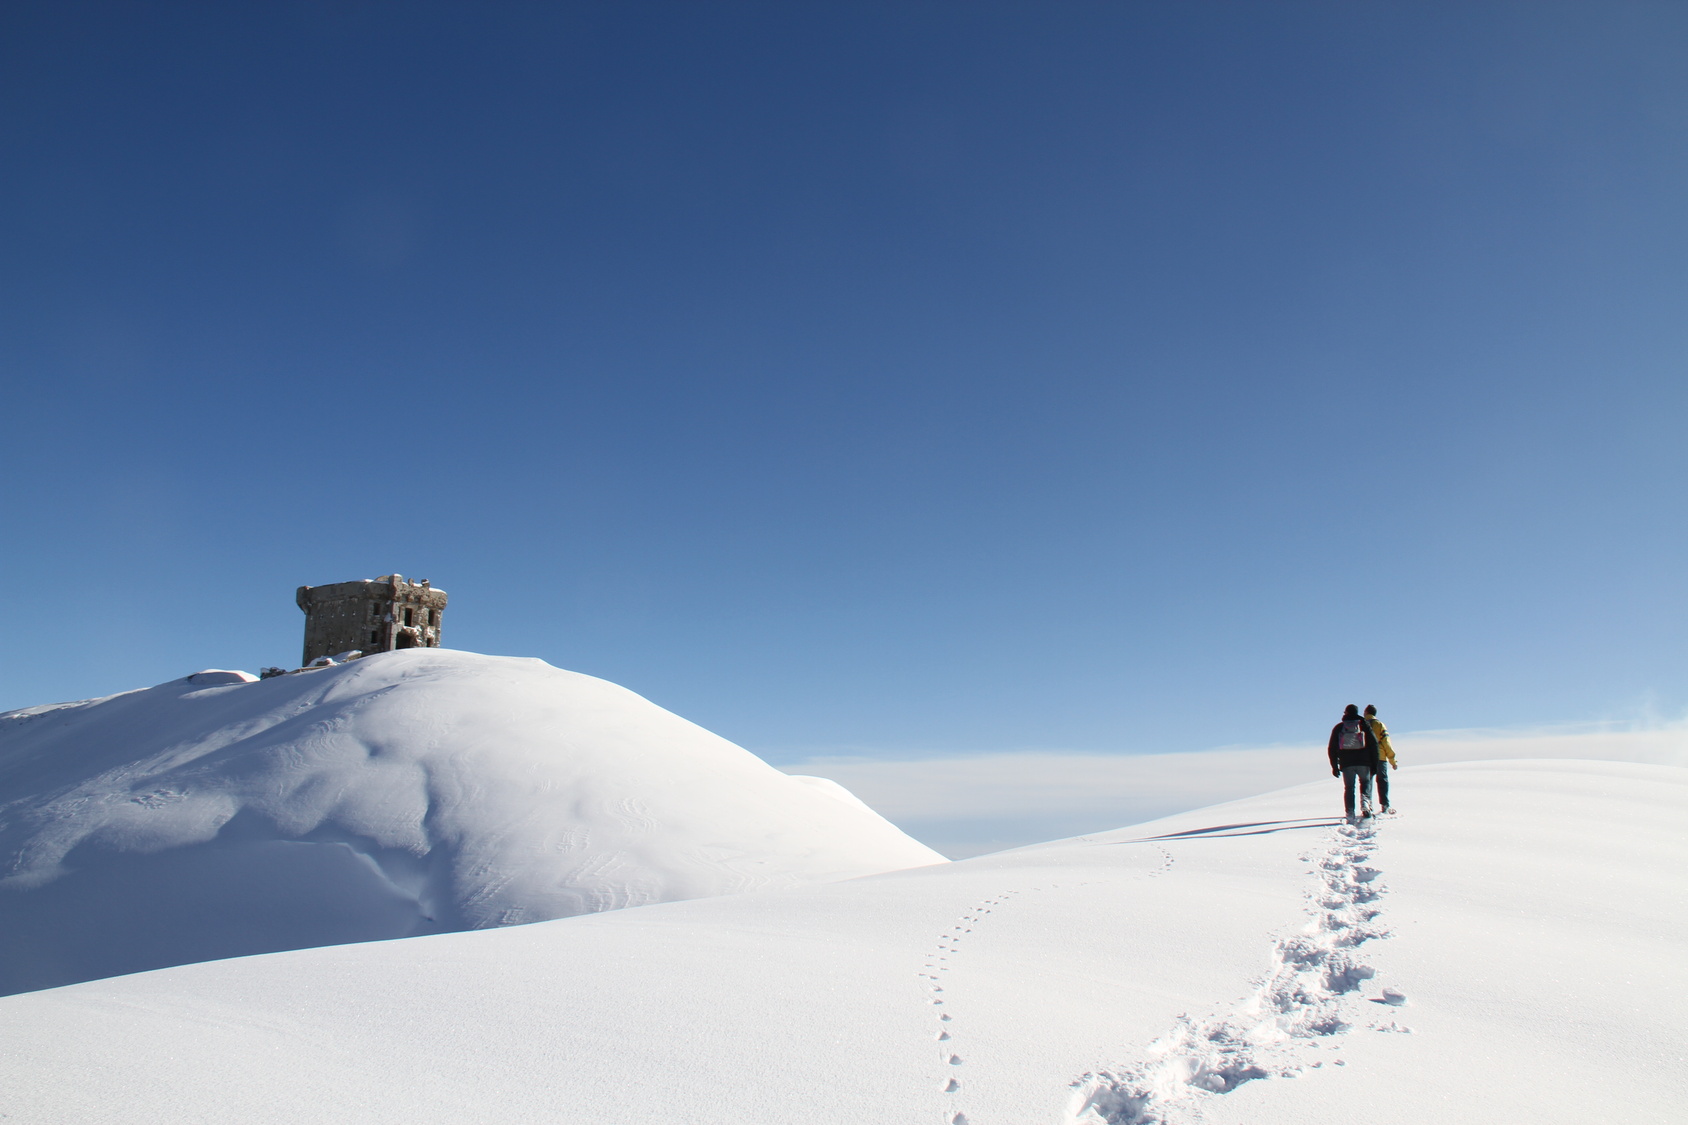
pixel 401 795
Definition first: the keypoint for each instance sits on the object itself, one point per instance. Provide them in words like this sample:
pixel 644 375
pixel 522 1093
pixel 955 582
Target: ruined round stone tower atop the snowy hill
pixel 376 616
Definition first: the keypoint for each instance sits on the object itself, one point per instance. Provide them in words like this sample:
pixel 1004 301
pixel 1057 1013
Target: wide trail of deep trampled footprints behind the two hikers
pixel 1307 997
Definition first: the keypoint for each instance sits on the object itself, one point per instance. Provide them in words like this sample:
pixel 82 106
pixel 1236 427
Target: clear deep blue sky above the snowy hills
pixel 899 379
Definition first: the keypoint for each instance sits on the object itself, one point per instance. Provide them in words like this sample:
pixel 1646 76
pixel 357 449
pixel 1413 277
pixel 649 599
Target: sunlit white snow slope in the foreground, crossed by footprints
pixel 1510 948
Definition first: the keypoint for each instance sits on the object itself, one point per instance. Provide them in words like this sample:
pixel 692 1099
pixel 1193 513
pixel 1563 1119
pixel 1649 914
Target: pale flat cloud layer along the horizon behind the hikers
pixel 983 803
